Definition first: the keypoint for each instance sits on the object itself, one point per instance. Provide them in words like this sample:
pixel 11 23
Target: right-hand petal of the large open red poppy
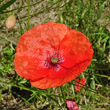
pixel 76 48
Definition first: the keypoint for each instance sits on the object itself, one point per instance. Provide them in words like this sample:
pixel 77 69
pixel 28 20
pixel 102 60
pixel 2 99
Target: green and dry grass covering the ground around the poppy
pixel 82 15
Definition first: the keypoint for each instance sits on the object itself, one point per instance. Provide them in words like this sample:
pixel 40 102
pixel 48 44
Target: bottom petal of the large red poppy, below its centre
pixel 56 79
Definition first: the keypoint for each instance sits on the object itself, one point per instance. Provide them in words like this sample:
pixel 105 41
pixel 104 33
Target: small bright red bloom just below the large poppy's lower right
pixel 79 84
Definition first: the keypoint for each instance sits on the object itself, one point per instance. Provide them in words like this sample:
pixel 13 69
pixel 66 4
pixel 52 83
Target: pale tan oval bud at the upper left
pixel 10 22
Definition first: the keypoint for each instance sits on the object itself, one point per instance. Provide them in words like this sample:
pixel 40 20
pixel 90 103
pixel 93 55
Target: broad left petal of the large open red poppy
pixel 34 46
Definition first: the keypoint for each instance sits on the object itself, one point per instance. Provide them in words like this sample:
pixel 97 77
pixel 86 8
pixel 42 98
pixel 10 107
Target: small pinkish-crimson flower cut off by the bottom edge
pixel 71 104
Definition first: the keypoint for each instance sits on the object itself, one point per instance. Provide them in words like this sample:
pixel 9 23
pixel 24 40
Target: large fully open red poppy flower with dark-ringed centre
pixel 52 54
